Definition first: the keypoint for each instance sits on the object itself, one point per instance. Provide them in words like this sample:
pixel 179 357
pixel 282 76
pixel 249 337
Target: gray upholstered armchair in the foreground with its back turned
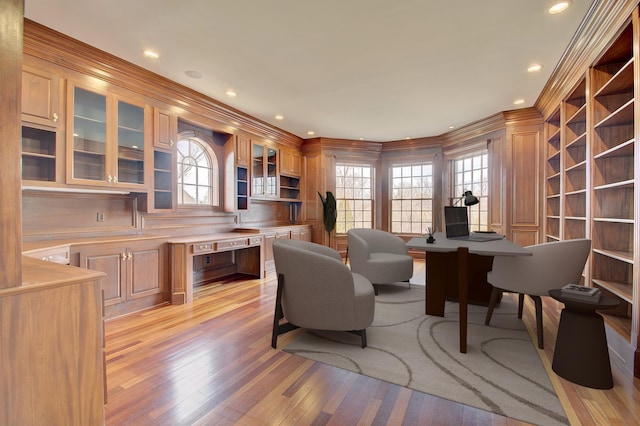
pixel 317 291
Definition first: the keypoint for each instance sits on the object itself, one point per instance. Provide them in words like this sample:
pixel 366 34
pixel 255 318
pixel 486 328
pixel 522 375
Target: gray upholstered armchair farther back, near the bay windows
pixel 380 256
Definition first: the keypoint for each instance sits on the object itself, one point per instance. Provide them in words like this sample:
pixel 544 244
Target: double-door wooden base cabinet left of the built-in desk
pixel 136 275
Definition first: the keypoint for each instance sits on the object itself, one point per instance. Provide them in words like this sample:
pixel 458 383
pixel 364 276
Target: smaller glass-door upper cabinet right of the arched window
pixel 264 173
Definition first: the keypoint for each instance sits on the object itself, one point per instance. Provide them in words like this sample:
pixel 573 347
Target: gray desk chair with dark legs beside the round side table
pixel 552 266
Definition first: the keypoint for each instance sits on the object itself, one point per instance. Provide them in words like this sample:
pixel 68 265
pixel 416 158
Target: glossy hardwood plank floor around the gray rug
pixel 211 363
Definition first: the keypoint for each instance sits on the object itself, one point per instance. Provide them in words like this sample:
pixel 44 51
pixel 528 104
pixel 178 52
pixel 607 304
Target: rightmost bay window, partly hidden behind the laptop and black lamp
pixel 471 173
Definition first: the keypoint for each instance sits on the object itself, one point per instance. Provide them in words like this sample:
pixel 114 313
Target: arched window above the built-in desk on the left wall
pixel 197 174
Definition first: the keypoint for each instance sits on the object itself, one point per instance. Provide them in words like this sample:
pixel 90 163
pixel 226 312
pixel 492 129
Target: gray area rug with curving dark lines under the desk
pixel 501 371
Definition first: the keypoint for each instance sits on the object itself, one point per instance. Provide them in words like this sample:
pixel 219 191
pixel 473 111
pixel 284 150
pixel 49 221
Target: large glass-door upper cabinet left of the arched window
pixel 106 140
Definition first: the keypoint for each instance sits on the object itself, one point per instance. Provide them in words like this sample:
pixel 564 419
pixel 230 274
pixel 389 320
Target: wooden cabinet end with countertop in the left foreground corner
pixel 52 342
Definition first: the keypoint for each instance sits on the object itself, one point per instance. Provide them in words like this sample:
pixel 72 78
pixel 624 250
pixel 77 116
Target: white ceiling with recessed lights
pixel 379 70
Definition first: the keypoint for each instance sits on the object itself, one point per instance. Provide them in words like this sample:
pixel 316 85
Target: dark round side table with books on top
pixel 581 354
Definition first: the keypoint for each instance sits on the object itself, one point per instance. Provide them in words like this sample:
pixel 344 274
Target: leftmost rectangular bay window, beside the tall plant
pixel 354 197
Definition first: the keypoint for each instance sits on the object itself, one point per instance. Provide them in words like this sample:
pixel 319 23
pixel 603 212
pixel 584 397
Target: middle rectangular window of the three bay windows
pixel 412 198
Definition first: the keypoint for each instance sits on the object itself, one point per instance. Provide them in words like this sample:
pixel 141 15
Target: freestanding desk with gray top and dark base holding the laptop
pixel 437 273
